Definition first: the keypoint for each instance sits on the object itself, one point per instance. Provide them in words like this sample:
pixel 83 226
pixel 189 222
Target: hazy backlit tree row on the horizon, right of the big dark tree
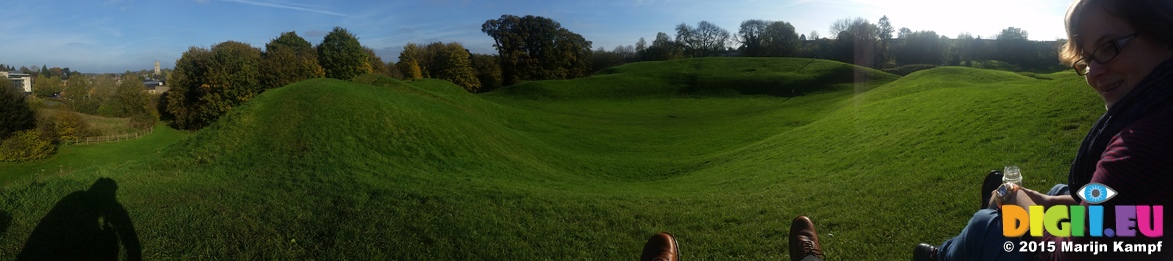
pixel 857 42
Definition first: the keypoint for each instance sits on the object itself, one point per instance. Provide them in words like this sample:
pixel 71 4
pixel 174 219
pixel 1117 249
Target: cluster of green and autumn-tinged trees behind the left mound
pixel 208 83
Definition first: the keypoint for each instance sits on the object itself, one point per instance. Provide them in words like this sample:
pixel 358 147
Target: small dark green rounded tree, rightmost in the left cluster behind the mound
pixel 342 56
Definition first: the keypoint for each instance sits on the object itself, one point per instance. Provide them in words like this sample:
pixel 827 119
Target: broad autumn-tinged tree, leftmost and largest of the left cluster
pixel 208 84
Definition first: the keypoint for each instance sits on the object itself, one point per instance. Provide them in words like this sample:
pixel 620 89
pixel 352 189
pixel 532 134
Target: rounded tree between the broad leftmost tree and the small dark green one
pixel 289 59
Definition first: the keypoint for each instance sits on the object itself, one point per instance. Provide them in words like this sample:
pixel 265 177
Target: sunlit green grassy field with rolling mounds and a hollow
pixel 722 153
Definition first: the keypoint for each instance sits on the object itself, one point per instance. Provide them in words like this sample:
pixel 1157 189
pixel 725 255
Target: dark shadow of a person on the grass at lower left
pixel 85 225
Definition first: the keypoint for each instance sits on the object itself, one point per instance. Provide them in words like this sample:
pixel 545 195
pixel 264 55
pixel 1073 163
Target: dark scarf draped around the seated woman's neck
pixel 1151 92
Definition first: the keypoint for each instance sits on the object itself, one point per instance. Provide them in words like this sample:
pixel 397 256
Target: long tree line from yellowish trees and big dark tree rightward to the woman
pixel 532 49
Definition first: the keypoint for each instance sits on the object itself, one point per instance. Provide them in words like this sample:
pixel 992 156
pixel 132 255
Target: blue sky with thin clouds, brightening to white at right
pixel 119 36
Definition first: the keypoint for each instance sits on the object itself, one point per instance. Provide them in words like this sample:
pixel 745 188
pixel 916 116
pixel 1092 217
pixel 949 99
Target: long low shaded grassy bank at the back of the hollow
pixel 713 77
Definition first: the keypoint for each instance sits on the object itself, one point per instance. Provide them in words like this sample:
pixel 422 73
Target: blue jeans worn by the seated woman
pixel 982 238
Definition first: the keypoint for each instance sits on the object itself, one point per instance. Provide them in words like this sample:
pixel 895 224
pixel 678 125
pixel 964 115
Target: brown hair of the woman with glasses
pixel 1150 18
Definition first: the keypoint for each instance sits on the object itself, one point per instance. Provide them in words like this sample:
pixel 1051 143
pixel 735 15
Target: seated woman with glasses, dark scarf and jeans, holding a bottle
pixel 1124 49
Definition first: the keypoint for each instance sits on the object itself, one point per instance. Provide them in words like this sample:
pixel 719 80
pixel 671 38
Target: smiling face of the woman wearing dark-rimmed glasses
pixel 1136 59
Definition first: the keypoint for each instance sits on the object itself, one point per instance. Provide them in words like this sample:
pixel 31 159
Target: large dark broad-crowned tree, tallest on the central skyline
pixel 538 49
